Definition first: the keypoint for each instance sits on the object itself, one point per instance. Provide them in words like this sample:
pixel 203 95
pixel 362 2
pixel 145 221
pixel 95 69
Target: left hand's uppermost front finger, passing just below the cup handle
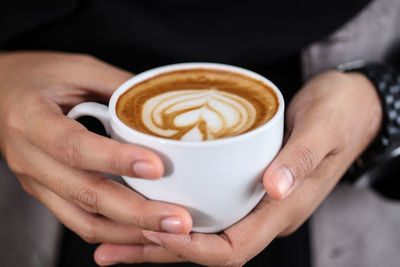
pixel 71 143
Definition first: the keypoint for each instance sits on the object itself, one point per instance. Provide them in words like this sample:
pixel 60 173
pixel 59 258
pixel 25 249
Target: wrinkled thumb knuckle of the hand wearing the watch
pixel 305 160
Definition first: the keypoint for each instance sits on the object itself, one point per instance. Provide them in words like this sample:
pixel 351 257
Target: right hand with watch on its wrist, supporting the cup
pixel 329 123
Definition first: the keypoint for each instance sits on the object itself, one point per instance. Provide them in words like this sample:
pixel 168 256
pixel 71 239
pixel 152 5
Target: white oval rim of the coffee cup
pixel 185 66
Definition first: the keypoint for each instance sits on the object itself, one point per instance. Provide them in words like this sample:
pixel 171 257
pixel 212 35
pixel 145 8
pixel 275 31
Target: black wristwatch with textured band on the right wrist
pixel 379 165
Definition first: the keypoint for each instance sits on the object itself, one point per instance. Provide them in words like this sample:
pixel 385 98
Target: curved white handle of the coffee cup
pixel 96 110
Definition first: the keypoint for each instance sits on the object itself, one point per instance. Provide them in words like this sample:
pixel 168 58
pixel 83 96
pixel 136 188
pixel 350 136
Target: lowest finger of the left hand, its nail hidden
pixel 90 227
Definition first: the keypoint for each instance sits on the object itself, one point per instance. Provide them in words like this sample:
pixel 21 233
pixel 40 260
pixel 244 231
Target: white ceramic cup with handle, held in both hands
pixel 219 181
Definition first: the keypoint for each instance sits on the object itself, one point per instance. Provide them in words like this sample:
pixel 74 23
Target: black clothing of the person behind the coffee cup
pixel 264 36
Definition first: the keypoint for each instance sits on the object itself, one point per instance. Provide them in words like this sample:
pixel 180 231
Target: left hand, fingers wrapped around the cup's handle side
pixel 58 161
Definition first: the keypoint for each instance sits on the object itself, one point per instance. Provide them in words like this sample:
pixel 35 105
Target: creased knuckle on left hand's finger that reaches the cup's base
pixel 87 197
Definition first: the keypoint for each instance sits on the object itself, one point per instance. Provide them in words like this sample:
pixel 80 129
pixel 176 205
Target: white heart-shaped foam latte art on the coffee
pixel 198 114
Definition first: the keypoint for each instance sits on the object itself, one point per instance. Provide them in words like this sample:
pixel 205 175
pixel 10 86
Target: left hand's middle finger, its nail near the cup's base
pixel 96 194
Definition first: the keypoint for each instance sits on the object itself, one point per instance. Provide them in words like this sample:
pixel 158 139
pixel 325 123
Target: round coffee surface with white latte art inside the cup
pixel 197 105
